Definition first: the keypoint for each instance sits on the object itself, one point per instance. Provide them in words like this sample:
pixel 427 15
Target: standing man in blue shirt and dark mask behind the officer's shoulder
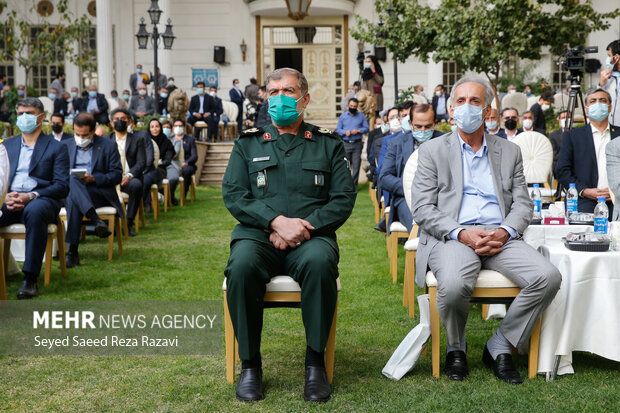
pixel 351 127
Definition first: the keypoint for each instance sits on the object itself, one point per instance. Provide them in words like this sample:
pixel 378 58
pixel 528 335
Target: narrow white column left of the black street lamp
pixel 104 47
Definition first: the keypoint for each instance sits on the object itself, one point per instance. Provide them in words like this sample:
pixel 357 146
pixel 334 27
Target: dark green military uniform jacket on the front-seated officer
pixel 306 176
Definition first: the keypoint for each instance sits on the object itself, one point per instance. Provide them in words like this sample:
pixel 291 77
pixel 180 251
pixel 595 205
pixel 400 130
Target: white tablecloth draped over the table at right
pixel 585 314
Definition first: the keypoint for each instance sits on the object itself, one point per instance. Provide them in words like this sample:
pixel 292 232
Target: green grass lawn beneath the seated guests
pixel 182 256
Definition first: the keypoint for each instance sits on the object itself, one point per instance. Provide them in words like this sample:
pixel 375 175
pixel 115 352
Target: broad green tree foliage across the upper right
pixel 481 35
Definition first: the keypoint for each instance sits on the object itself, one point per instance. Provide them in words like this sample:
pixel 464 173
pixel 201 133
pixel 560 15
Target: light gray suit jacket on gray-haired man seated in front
pixel 437 191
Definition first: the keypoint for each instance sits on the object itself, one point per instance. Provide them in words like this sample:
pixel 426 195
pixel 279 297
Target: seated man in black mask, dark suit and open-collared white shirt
pixel 133 162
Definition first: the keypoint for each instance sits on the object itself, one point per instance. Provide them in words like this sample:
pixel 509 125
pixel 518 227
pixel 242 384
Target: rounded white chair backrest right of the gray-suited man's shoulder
pixel 537 155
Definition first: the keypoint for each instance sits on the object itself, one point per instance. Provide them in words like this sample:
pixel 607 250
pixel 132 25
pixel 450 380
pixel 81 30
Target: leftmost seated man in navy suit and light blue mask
pixel 38 184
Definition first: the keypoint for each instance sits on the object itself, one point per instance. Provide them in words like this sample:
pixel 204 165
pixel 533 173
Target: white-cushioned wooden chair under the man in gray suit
pixel 491 288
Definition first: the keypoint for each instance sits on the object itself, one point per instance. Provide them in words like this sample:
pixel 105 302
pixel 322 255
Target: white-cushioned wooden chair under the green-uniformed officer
pixel 282 291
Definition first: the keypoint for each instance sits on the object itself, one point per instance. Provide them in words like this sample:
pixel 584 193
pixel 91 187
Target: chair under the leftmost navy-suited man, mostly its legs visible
pixel 18 231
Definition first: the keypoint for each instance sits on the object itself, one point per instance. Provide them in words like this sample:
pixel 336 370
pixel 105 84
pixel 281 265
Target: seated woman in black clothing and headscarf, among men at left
pixel 155 172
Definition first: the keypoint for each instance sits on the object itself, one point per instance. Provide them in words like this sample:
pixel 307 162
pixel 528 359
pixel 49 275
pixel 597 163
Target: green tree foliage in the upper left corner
pixel 52 42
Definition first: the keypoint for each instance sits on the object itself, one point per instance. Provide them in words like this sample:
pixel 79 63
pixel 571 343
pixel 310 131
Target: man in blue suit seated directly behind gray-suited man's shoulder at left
pixel 398 152
